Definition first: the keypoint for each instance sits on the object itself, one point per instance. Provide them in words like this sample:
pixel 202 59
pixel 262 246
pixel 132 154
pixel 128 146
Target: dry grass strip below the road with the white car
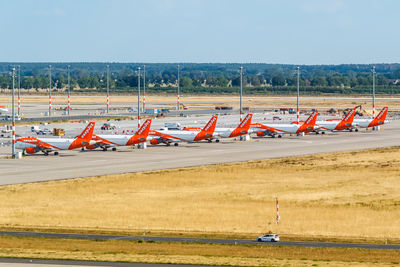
pixel 237 255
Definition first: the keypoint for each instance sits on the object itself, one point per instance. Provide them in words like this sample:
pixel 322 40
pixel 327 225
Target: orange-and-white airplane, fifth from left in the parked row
pixel 279 129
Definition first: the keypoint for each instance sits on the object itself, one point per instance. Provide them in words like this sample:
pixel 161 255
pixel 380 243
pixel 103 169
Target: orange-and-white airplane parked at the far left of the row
pixel 32 145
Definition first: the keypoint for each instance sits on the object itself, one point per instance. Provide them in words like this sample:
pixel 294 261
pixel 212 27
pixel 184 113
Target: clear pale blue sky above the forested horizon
pixel 278 31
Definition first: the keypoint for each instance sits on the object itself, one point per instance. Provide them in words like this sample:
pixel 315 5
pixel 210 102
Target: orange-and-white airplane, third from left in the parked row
pixel 174 136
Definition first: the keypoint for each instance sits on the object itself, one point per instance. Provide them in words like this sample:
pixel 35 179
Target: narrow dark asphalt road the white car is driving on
pixel 200 240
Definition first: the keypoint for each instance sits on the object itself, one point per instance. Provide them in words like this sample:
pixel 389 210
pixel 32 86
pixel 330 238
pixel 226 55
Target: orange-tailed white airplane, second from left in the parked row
pixel 107 141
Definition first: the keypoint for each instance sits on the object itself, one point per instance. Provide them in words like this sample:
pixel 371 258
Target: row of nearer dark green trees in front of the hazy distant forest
pixel 118 81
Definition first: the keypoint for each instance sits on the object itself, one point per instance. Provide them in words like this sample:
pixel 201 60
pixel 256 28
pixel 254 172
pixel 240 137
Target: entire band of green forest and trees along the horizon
pixel 197 78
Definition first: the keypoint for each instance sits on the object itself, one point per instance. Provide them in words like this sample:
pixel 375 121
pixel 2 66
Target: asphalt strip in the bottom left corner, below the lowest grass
pixel 13 262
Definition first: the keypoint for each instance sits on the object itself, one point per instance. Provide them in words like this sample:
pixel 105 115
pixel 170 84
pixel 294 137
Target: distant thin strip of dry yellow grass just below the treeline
pixel 203 101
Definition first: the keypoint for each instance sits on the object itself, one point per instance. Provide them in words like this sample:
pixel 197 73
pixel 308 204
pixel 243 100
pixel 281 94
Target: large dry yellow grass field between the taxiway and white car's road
pixel 349 195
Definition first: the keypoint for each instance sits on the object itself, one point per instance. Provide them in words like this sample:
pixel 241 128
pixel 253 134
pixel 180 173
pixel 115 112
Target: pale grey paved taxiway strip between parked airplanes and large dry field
pixel 73 164
